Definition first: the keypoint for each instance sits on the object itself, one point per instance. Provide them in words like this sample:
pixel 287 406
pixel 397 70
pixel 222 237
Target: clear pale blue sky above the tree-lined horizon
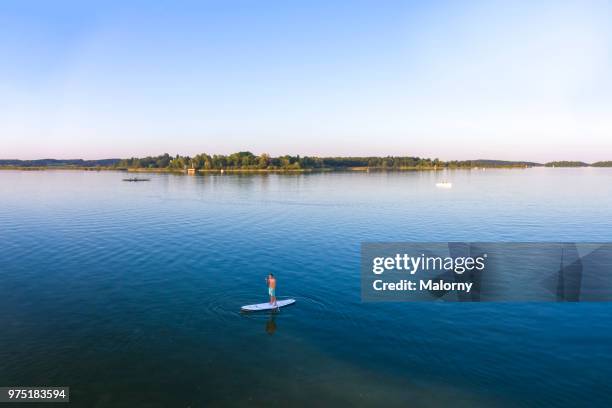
pixel 456 80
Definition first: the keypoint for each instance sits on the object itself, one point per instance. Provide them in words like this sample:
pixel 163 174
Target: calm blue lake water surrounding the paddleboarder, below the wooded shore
pixel 129 293
